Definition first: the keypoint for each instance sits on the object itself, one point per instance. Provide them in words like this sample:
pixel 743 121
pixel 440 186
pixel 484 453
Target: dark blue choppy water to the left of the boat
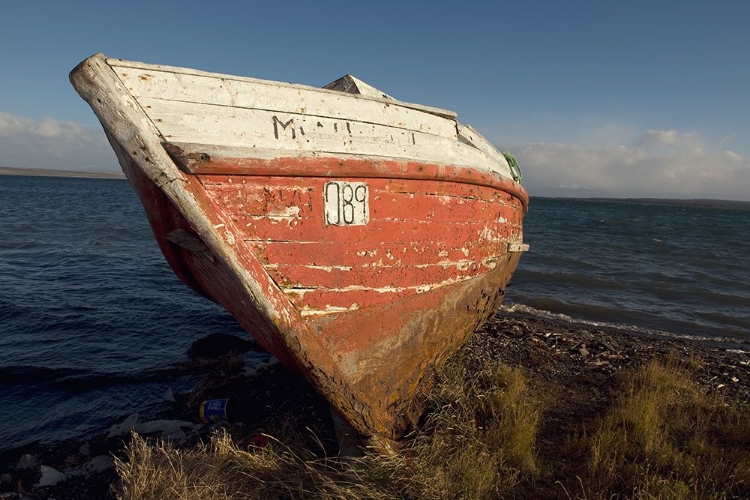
pixel 92 320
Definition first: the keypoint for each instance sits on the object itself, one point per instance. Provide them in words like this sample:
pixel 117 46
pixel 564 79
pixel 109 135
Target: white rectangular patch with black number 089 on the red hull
pixel 347 203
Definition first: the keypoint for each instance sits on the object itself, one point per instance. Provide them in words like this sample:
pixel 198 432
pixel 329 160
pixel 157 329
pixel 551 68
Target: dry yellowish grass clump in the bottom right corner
pixel 664 438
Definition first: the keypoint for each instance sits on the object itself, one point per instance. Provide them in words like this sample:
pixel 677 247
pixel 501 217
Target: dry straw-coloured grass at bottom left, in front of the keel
pixel 224 470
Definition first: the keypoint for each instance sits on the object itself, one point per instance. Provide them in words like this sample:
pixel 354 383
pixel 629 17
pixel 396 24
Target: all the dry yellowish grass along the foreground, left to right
pixel 662 438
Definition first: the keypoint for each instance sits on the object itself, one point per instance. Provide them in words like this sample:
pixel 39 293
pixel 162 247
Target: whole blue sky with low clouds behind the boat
pixel 595 98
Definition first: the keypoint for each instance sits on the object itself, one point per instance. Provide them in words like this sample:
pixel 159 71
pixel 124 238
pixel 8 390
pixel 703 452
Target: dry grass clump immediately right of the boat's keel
pixel 479 441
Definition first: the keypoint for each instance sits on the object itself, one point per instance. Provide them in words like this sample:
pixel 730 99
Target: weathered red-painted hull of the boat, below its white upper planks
pixel 379 306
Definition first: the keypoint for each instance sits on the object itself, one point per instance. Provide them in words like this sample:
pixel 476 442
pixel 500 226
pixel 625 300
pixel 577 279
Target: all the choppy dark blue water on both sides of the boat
pixel 93 322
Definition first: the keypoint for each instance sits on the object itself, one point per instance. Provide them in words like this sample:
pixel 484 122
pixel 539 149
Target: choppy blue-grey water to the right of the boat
pixel 640 265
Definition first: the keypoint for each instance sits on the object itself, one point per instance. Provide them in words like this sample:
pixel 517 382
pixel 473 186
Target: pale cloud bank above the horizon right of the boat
pixel 661 163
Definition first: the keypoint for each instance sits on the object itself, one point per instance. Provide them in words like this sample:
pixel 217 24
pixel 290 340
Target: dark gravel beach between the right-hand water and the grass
pixel 578 367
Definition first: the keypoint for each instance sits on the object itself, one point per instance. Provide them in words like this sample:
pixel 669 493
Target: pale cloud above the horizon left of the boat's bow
pixel 53 144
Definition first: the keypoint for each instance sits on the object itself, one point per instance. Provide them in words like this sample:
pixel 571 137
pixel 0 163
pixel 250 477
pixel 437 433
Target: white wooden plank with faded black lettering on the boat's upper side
pixel 270 134
